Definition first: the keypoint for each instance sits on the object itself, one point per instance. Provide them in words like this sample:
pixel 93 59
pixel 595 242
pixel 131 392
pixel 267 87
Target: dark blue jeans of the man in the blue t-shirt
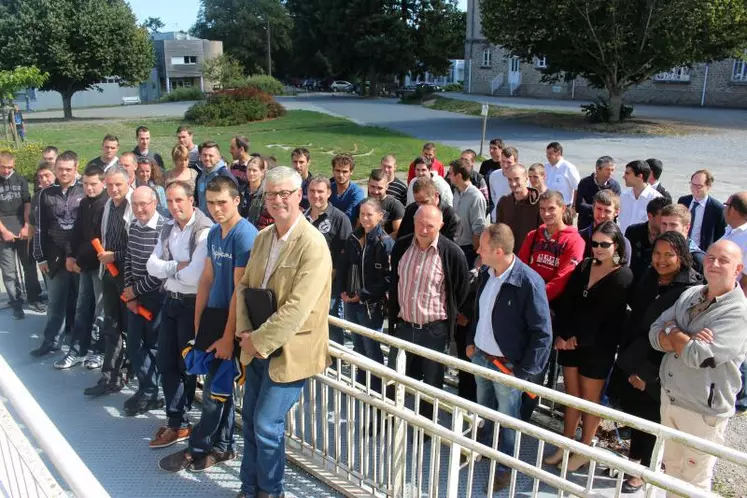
pixel 215 428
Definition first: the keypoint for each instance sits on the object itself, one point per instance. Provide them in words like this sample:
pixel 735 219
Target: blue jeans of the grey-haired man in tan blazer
pixel 266 404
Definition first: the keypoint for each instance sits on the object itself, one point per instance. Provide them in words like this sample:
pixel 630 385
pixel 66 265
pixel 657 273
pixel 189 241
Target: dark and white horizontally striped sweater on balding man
pixel 143 239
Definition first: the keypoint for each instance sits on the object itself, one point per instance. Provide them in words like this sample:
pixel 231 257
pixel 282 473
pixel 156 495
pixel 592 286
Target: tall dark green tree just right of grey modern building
pixel 242 27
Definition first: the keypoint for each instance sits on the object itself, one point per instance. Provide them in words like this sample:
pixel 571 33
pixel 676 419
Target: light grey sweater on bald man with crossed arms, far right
pixel 705 378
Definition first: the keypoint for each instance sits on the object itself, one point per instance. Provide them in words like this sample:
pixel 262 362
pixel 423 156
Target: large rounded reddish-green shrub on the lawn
pixel 234 107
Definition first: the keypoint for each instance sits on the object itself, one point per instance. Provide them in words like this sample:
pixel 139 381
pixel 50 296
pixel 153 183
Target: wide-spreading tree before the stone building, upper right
pixel 616 44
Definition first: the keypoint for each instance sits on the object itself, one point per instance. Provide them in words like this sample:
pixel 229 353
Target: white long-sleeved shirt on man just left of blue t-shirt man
pixel 185 280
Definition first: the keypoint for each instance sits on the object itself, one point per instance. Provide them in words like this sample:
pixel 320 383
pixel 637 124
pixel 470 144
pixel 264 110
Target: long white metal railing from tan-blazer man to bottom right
pixel 362 434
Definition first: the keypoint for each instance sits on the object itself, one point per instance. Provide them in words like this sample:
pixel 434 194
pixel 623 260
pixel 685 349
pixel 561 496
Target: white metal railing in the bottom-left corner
pixel 26 475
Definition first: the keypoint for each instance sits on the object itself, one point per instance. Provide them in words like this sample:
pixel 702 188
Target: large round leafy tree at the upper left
pixel 78 42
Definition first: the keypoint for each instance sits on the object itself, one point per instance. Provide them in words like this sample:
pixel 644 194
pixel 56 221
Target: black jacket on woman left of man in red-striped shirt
pixel 373 272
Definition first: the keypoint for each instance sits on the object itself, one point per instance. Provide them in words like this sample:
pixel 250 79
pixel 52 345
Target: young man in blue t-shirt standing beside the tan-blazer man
pixel 229 244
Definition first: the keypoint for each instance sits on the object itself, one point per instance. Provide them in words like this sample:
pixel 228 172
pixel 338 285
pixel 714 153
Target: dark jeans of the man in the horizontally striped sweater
pixel 142 344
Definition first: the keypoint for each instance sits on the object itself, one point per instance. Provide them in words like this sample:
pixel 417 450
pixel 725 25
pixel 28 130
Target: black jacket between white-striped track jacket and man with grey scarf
pixel 87 227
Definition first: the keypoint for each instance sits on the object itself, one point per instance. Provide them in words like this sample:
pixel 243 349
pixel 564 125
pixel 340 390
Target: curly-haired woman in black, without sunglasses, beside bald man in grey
pixel 635 382
